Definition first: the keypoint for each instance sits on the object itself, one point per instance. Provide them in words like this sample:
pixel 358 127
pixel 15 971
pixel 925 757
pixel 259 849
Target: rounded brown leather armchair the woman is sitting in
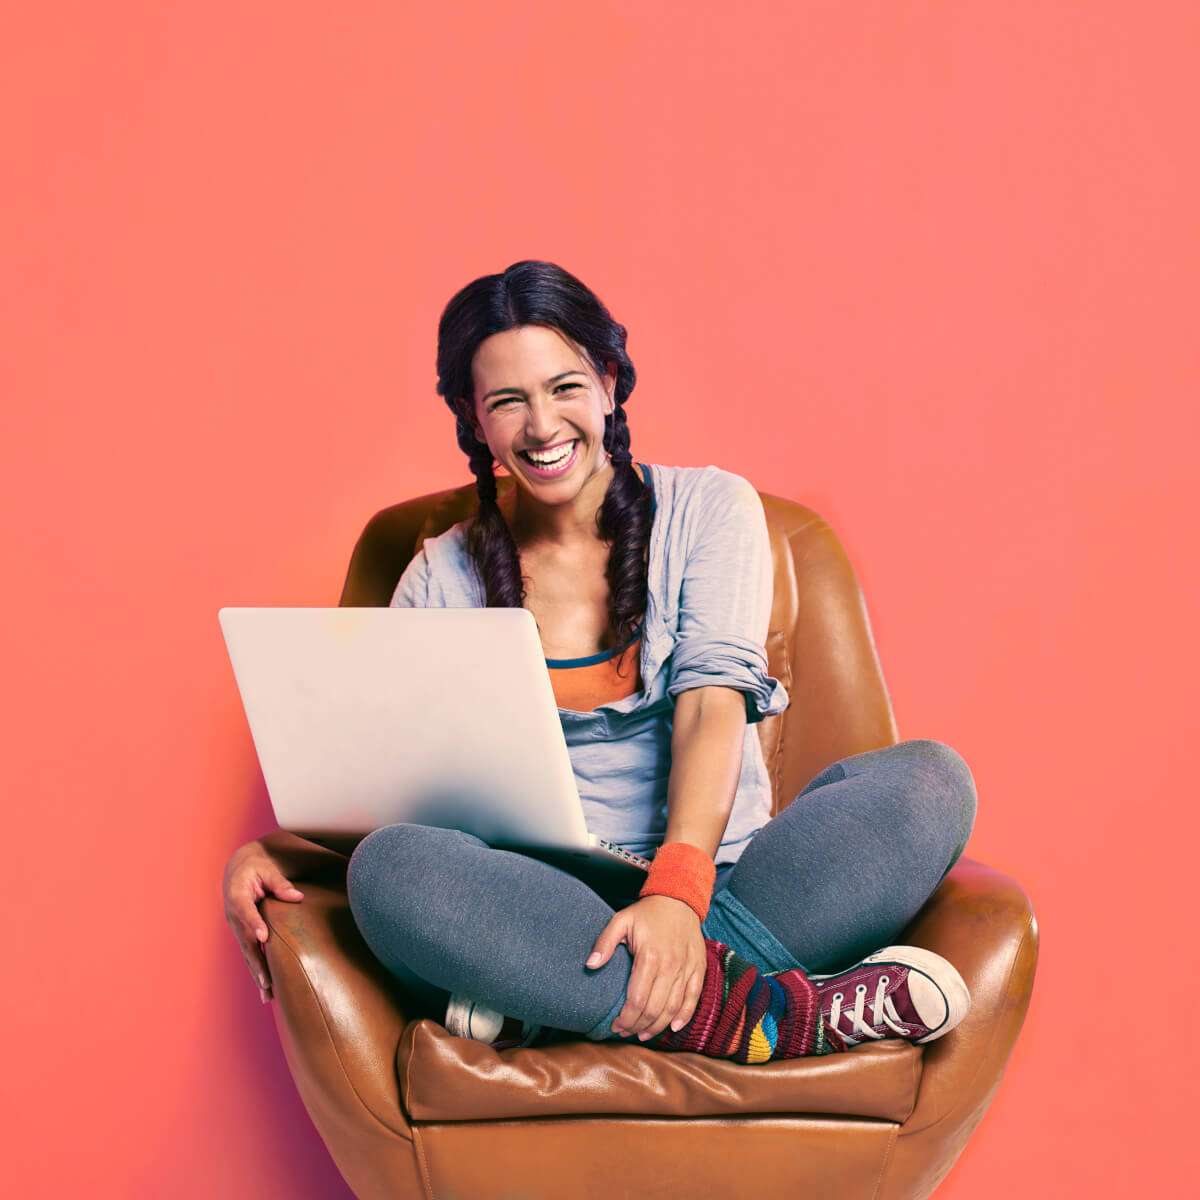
pixel 409 1111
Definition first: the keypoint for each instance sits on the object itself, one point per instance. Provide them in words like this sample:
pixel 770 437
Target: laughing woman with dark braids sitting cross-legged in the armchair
pixel 652 590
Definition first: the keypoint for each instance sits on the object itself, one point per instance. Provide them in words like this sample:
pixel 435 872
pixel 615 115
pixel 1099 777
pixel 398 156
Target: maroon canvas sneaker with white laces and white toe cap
pixel 902 992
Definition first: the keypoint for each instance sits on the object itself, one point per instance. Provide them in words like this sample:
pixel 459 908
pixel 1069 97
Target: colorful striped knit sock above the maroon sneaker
pixel 752 1017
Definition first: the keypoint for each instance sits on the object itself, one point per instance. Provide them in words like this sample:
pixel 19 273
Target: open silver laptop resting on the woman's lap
pixel 446 717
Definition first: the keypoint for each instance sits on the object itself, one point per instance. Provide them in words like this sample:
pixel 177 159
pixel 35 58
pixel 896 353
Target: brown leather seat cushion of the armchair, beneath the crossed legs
pixel 447 1078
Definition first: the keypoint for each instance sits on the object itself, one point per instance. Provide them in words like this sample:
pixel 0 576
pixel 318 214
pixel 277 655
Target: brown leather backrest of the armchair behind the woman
pixel 819 645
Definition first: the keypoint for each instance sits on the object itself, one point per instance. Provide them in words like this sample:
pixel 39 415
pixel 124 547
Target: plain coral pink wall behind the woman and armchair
pixel 928 268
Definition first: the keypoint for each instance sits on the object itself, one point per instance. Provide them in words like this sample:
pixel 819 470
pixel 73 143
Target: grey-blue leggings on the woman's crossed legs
pixel 835 877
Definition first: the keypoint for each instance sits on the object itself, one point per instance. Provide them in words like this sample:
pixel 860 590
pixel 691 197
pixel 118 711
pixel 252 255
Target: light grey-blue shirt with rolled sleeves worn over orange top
pixel 711 587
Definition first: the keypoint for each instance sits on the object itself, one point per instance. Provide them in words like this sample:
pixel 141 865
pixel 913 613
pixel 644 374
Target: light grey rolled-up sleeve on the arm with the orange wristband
pixel 725 601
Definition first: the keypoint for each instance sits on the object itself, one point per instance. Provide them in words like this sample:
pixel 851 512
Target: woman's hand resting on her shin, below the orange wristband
pixel 665 939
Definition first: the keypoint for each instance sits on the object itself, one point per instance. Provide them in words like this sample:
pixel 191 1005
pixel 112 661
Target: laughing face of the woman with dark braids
pixel 537 391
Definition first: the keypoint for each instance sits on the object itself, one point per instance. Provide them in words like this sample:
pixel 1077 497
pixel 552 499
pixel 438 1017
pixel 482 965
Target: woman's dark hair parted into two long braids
pixel 538 293
